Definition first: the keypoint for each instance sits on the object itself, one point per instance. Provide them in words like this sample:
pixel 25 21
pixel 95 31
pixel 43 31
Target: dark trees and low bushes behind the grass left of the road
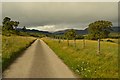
pixel 9 28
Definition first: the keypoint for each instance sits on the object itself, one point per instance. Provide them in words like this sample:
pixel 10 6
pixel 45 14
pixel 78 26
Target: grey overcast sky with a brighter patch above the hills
pixel 60 15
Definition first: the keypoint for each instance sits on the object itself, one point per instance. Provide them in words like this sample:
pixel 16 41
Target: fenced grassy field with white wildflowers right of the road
pixel 84 61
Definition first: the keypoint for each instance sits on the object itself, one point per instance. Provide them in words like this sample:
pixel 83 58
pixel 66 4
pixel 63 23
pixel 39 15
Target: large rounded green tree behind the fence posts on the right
pixel 99 29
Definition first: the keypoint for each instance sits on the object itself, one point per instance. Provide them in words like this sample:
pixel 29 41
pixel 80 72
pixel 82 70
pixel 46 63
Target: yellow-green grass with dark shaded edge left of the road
pixel 12 47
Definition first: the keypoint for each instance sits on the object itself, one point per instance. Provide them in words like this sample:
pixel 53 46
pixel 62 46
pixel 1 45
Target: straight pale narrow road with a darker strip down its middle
pixel 38 61
